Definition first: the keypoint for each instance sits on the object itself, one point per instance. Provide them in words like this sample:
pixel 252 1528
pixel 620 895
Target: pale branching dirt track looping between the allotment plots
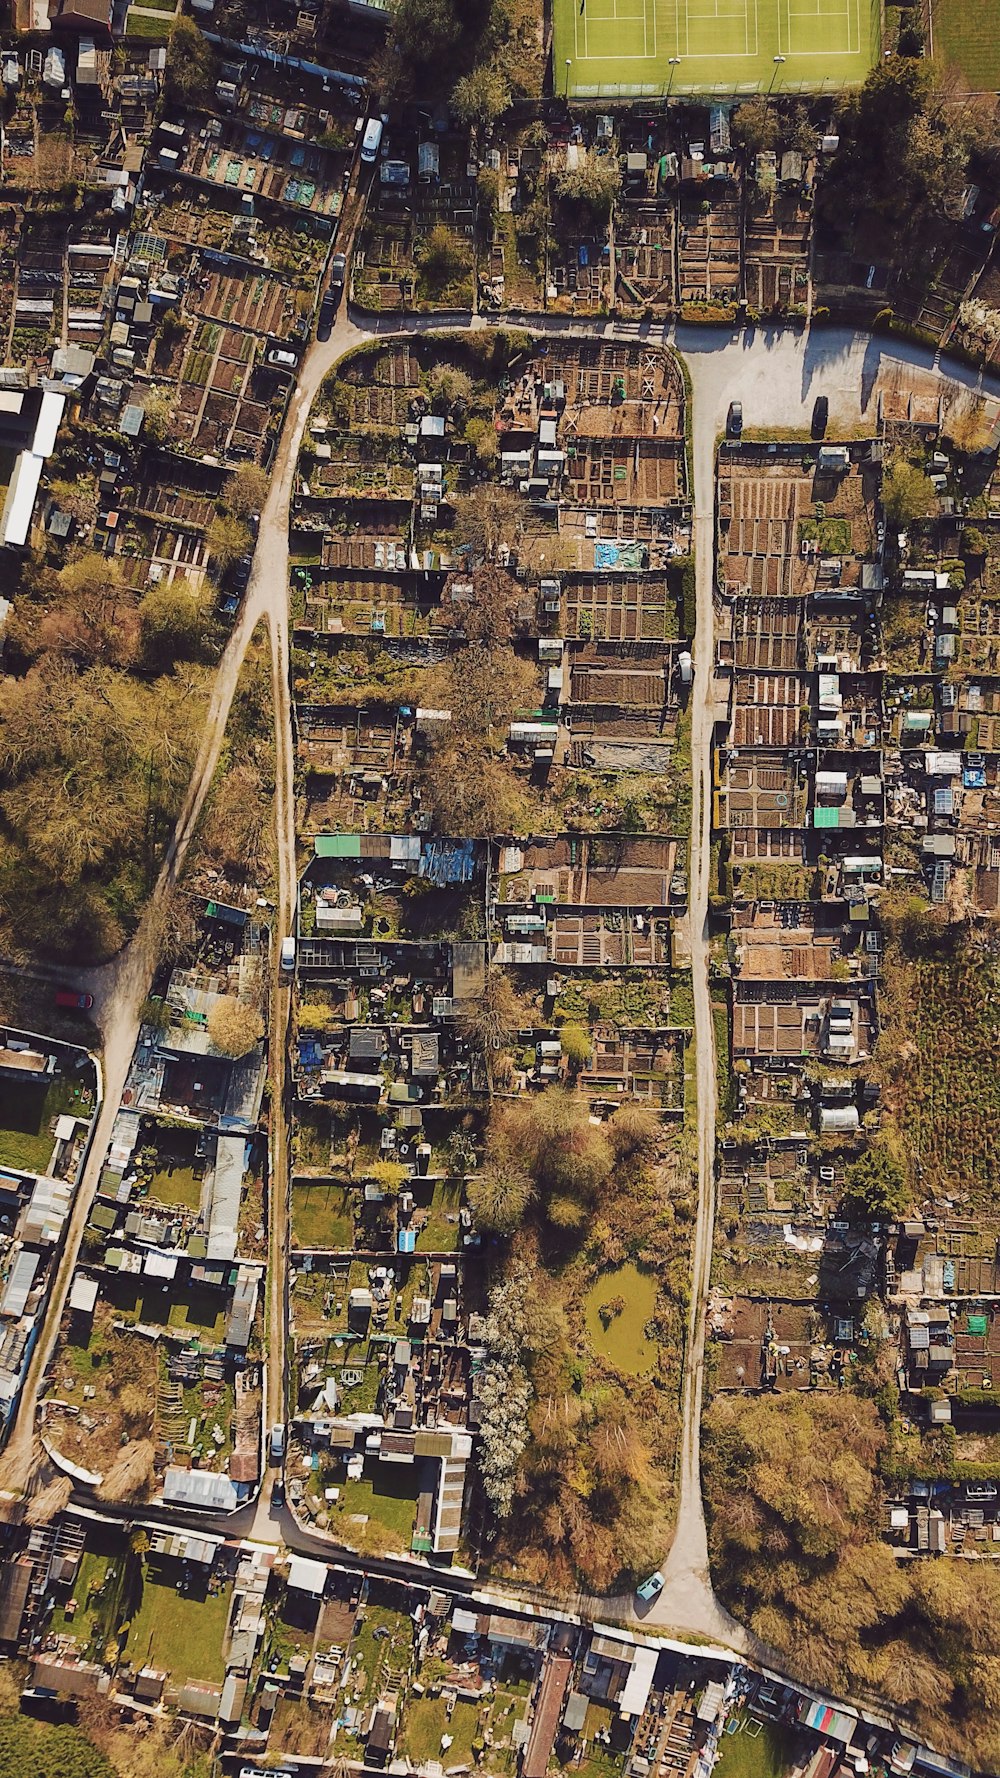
pixel 777 374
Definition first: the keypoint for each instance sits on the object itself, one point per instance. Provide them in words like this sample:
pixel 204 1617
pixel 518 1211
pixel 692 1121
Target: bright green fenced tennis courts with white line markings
pixel 608 49
